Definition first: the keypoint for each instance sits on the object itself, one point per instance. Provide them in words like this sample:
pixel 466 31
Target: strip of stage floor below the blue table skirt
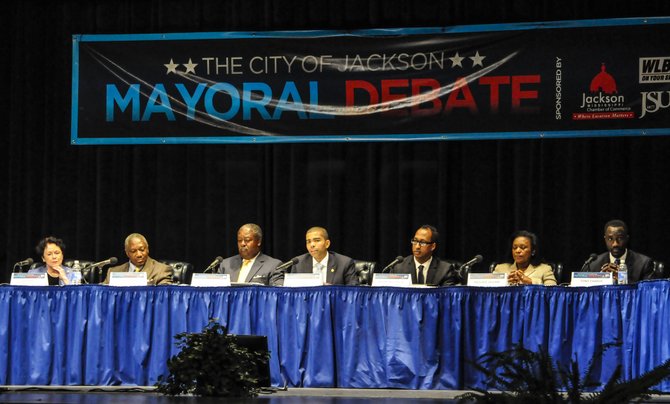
pixel 147 395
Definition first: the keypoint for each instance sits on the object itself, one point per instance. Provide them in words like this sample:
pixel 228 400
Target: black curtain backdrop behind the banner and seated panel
pixel 189 200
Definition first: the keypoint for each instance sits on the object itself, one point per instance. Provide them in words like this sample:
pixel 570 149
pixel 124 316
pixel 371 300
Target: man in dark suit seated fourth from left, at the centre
pixel 335 269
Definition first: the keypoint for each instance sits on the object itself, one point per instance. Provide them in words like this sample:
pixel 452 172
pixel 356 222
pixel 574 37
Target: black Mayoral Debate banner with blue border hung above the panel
pixel 588 78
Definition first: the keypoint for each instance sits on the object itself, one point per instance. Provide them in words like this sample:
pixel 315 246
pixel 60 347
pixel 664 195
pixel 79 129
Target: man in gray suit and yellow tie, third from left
pixel 250 265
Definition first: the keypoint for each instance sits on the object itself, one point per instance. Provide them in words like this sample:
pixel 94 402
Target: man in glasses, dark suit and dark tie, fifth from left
pixel 425 268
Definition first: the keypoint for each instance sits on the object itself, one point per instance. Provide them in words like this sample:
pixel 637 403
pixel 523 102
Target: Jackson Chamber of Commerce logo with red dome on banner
pixel 603 100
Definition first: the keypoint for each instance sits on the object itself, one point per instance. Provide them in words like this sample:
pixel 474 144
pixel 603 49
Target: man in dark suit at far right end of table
pixel 640 266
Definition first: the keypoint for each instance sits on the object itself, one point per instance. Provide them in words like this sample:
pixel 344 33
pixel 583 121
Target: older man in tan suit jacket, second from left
pixel 137 250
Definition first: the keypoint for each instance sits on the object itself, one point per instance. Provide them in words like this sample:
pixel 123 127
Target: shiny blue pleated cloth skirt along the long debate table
pixel 352 337
